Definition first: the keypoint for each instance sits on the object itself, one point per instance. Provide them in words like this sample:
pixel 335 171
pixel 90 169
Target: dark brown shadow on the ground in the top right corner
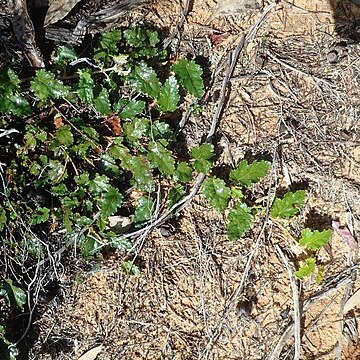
pixel 347 18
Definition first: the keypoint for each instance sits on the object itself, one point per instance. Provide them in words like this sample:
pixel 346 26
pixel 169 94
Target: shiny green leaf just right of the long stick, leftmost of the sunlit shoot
pixel 216 192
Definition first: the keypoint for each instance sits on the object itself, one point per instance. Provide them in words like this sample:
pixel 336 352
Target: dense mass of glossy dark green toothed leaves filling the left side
pixel 92 145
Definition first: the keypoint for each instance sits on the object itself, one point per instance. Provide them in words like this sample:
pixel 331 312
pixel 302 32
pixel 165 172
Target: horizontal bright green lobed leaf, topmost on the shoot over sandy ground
pixel 247 174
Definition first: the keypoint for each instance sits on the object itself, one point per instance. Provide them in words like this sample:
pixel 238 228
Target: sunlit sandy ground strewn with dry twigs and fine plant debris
pixel 289 103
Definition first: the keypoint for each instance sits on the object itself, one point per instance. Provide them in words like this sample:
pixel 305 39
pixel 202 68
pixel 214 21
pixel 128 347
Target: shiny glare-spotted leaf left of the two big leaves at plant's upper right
pixel 144 79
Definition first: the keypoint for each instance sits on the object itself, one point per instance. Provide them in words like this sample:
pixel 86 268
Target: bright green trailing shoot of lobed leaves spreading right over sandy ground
pixel 229 197
